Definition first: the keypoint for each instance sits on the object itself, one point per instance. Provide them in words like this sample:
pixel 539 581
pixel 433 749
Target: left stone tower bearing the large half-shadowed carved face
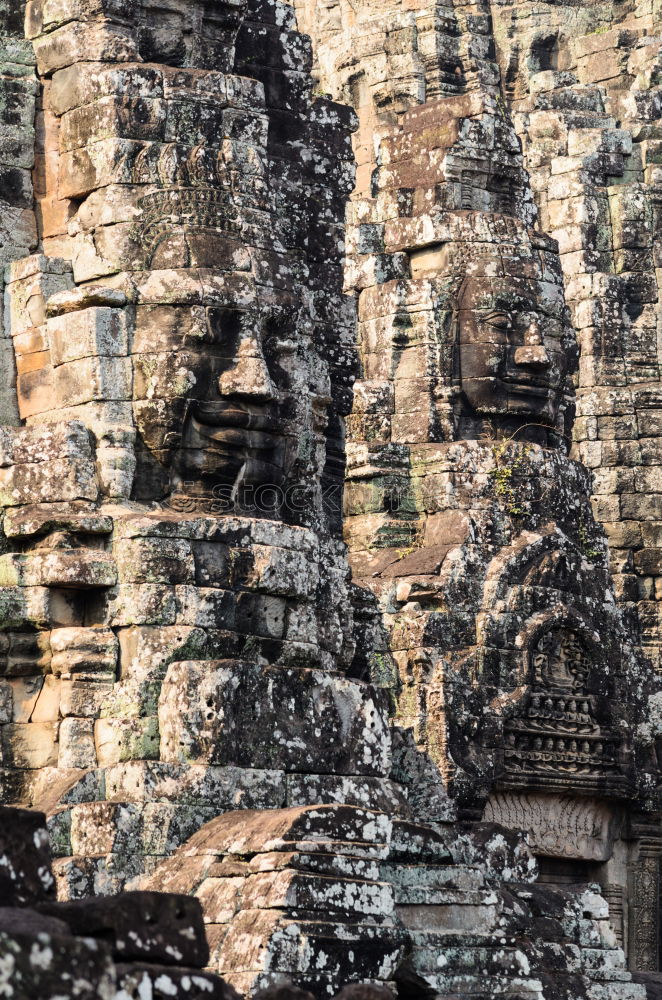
pixel 172 570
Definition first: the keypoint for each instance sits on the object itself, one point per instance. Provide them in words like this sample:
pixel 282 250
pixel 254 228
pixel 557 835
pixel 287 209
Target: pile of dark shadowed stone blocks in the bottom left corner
pixel 144 945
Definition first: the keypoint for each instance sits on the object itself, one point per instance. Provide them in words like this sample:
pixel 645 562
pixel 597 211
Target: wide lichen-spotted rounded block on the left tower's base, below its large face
pixel 231 712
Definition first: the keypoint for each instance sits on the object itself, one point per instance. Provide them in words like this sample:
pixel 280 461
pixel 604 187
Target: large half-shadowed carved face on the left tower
pixel 218 409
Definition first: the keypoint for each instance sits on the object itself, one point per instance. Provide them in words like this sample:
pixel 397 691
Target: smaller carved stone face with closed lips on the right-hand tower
pixel 511 354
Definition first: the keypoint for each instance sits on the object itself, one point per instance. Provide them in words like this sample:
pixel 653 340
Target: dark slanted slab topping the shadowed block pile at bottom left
pixel 147 926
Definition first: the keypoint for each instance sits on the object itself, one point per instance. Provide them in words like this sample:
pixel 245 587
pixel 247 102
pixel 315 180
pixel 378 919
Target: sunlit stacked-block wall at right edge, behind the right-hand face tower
pixel 588 126
